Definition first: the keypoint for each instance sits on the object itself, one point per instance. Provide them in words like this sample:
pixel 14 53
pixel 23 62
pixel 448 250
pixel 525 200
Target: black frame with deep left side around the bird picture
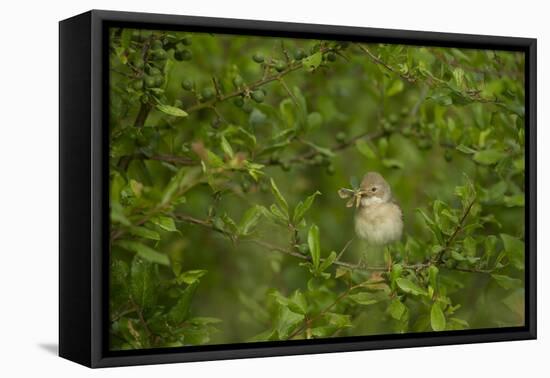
pixel 83 196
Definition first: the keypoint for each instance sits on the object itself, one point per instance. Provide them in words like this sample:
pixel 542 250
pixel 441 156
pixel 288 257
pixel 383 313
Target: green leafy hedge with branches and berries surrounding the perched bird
pixel 226 155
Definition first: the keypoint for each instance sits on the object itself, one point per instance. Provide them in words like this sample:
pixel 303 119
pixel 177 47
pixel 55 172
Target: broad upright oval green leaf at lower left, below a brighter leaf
pixel 143 283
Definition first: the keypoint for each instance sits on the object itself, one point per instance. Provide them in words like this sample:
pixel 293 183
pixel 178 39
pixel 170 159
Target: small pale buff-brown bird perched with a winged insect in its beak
pixel 378 218
